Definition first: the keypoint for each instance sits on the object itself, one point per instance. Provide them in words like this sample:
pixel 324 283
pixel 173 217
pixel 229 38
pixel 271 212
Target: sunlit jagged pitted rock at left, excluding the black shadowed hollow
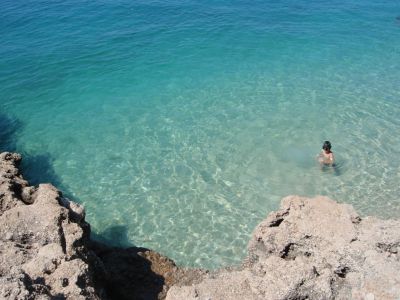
pixel 42 234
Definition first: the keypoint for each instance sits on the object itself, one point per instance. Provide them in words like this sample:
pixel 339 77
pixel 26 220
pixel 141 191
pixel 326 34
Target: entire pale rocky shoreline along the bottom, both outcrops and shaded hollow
pixel 309 249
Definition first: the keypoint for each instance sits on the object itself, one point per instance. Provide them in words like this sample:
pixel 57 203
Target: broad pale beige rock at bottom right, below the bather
pixel 311 249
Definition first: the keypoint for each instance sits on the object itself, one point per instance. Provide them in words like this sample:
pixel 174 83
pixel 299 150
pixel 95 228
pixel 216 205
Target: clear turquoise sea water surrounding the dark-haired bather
pixel 181 124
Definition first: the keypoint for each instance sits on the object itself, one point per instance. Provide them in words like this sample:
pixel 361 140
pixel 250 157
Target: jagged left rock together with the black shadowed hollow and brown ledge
pixel 46 252
